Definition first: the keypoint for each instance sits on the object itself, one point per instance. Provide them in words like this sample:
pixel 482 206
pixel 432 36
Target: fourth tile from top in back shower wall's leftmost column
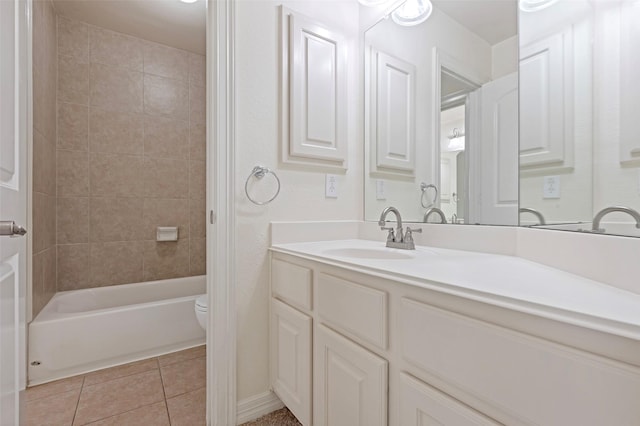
pixel 73 173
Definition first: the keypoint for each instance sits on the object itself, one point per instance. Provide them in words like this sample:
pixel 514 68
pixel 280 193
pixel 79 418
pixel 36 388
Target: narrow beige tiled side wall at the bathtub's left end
pixel 44 154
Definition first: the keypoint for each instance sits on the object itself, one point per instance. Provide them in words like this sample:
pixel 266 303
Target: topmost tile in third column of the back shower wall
pixel 166 61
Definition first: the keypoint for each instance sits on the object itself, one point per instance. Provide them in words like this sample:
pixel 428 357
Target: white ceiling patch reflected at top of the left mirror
pixel 492 20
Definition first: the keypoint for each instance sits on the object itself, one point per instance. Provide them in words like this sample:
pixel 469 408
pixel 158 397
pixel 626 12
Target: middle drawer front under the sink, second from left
pixel 353 309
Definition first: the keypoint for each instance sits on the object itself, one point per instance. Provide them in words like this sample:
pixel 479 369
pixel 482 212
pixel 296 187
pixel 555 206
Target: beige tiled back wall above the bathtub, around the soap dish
pixel 130 157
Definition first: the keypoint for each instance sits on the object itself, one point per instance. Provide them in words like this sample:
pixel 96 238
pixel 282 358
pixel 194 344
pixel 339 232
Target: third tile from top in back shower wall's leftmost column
pixel 73 126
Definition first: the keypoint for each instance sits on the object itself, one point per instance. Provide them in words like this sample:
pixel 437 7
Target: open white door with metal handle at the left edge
pixel 13 206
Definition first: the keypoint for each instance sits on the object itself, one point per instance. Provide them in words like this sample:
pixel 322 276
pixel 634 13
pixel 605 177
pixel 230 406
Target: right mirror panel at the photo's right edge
pixel 580 106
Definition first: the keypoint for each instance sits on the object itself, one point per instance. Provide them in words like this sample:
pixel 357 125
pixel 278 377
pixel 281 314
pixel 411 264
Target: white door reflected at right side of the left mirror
pixel 499 151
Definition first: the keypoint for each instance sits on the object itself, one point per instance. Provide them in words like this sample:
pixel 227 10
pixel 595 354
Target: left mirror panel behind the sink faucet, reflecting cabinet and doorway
pixel 441 114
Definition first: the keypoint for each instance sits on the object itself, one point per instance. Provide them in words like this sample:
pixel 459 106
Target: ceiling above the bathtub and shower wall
pixel 169 22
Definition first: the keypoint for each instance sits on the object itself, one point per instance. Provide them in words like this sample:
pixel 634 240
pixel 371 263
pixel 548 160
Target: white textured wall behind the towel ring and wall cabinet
pixel 302 196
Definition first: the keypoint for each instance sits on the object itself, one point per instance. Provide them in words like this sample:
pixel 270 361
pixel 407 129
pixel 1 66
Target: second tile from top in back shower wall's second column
pixel 115 88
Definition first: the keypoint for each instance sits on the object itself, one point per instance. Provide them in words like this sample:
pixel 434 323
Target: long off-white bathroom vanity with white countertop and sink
pixel 367 335
